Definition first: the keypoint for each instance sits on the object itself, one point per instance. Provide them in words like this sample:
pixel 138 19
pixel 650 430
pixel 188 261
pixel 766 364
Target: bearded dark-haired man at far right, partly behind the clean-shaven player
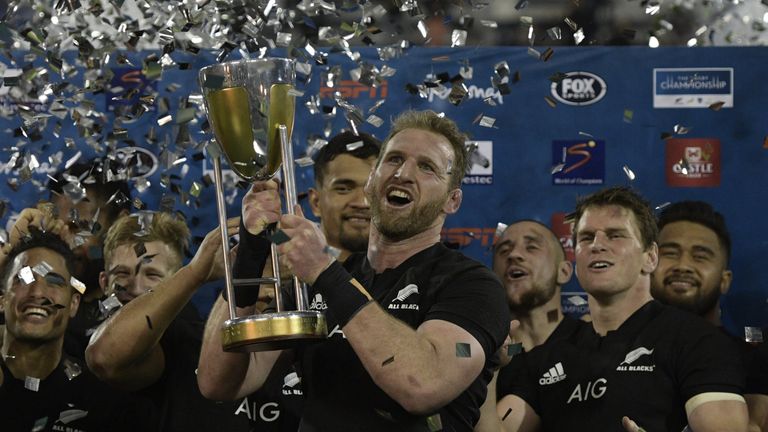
pixel 694 250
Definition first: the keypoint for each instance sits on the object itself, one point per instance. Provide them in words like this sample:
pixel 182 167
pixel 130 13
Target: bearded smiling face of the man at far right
pixel 692 271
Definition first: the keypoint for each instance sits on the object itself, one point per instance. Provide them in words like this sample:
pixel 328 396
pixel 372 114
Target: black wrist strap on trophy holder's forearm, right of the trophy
pixel 343 294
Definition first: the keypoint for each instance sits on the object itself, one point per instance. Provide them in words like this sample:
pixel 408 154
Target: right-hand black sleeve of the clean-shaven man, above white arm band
pixel 708 361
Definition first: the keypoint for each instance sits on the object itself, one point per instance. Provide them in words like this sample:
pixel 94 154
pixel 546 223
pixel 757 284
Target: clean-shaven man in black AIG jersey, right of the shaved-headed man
pixel 638 360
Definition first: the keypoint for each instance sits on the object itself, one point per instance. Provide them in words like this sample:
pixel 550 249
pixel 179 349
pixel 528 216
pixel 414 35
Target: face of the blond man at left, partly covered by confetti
pixel 130 276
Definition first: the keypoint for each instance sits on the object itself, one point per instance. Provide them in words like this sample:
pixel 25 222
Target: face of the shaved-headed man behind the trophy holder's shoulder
pixel 530 263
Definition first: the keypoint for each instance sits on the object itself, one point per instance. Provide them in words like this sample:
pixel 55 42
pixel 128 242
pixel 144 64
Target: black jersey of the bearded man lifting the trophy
pixel 437 283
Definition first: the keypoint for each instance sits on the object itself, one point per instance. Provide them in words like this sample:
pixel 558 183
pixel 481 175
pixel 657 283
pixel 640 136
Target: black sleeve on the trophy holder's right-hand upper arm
pixel 476 302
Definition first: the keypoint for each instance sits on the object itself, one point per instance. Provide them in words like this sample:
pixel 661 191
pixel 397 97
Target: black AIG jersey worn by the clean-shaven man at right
pixel 646 369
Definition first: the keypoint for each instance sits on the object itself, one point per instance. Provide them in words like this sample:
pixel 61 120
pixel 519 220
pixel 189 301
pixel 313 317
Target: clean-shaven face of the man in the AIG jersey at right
pixel 610 258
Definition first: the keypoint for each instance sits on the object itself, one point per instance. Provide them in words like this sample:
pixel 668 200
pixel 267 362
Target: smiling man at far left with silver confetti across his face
pixel 42 388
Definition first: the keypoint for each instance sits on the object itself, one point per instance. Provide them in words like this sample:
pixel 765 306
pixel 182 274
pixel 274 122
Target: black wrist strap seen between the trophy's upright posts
pixel 252 254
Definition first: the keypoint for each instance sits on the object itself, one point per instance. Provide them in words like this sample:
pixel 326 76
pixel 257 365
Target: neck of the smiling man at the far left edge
pixel 26 359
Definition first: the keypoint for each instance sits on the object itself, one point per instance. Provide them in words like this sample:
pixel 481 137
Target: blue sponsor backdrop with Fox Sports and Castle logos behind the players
pixel 547 131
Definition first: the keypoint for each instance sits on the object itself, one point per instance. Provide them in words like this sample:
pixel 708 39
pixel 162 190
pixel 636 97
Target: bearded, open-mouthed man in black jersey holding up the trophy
pixel 419 324
